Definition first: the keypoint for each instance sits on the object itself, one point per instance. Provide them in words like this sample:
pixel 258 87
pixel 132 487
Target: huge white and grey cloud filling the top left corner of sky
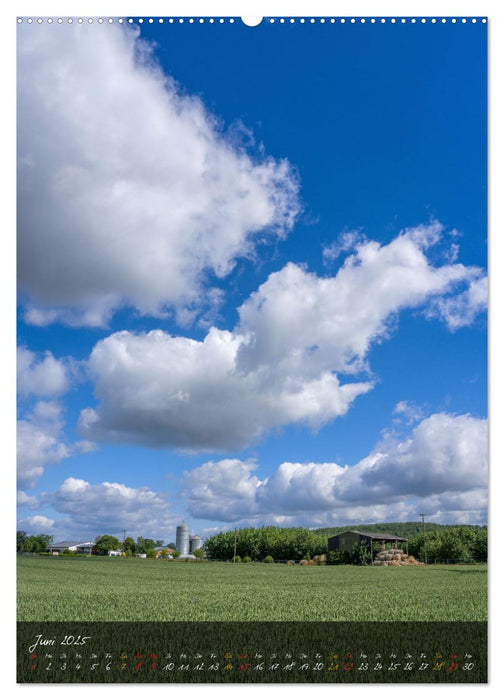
pixel 129 190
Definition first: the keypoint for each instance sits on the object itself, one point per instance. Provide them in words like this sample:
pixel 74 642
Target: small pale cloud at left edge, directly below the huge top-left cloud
pixel 40 377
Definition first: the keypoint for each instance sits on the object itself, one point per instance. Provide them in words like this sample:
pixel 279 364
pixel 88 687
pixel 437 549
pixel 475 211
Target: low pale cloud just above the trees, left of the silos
pixel 110 507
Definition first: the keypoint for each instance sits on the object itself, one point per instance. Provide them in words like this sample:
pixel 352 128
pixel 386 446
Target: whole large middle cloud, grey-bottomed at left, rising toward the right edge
pixel 297 355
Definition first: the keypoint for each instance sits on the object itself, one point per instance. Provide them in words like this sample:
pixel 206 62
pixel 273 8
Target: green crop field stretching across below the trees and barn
pixel 110 589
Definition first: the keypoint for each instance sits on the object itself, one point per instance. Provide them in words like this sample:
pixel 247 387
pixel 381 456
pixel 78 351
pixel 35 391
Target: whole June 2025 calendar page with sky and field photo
pixel 252 349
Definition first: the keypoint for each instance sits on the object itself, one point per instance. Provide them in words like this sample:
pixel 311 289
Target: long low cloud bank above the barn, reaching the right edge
pixel 441 466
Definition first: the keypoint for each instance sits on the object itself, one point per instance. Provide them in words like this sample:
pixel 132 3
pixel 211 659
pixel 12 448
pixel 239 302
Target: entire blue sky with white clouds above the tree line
pixel 256 294
